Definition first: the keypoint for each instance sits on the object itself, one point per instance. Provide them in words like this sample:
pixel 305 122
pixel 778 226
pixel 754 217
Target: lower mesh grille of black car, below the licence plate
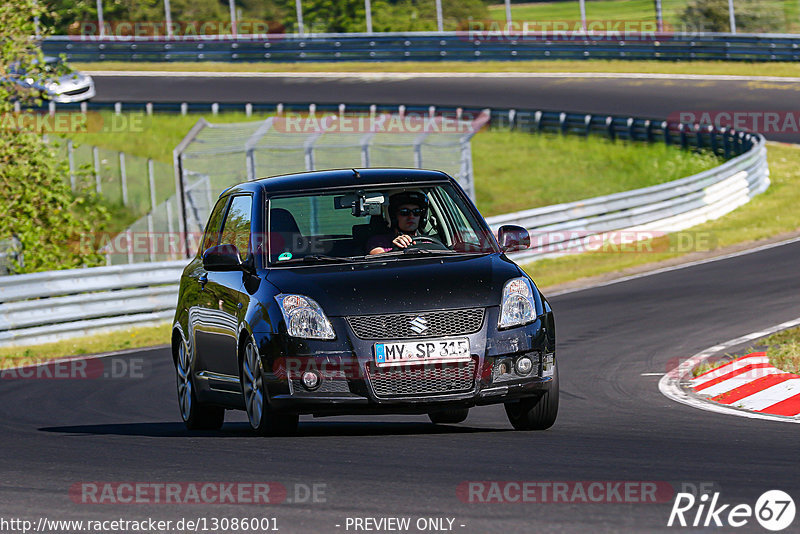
pixel 415 380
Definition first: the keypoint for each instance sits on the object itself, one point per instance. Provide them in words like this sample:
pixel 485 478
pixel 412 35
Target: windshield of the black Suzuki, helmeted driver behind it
pixel 346 226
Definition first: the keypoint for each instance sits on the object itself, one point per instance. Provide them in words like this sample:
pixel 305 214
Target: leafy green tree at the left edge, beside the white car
pixel 38 207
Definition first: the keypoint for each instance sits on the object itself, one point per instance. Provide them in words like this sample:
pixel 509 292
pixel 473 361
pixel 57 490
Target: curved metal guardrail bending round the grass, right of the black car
pixel 572 227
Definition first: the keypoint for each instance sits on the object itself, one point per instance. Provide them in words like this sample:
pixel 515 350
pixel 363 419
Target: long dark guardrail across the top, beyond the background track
pixel 430 47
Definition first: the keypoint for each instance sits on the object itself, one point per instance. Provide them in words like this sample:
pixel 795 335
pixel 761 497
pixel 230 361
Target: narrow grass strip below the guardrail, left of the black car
pixel 123 339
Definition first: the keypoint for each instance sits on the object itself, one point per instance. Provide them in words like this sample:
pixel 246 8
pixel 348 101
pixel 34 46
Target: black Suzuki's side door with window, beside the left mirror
pixel 227 298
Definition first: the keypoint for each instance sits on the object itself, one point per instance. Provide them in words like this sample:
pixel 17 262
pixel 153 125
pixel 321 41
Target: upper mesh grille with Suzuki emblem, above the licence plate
pixel 417 325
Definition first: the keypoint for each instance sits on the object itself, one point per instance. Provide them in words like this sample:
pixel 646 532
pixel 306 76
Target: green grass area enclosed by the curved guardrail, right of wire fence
pixel 542 170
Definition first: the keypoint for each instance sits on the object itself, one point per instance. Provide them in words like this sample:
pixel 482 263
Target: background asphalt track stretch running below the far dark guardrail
pixel 651 98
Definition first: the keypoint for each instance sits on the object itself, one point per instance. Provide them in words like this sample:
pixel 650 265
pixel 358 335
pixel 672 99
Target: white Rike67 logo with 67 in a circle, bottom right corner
pixel 774 510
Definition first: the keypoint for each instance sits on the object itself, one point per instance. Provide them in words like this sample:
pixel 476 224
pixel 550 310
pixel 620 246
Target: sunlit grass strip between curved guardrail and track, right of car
pixel 769 214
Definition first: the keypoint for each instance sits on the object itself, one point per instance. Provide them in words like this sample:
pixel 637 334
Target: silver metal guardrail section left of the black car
pixel 48 306
